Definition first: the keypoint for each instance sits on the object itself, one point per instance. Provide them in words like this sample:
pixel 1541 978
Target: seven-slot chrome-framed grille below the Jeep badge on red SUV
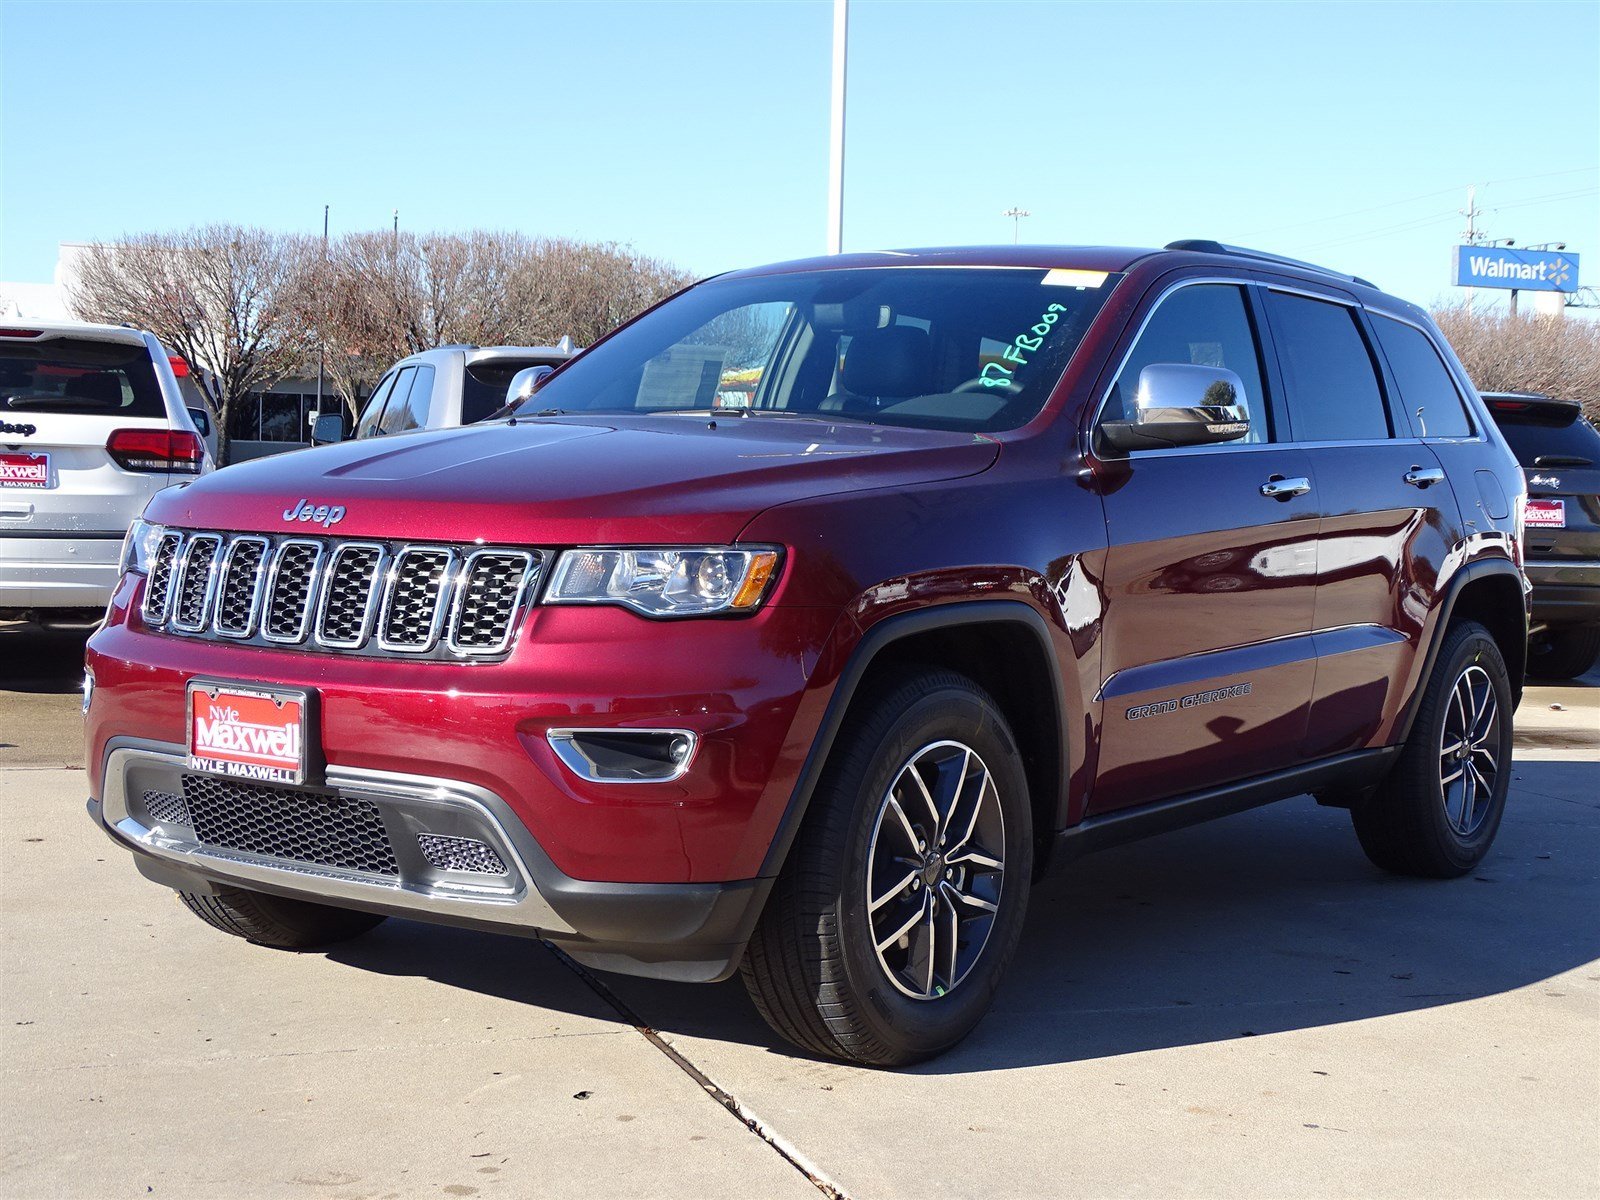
pixel 358 598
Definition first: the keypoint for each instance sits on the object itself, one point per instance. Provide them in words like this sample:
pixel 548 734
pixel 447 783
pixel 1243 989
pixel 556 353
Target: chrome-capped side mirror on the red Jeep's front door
pixel 1182 406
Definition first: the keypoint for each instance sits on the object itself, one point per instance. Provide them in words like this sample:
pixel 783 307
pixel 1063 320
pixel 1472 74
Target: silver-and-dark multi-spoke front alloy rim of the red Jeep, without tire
pixel 935 870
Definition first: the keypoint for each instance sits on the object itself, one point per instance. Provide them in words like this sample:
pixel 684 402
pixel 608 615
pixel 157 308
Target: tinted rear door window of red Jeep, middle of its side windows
pixel 1329 377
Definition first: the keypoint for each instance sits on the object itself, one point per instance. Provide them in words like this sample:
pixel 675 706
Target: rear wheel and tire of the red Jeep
pixel 1438 812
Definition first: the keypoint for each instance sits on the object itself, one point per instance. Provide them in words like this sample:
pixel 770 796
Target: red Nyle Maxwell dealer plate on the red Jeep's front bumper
pixel 249 732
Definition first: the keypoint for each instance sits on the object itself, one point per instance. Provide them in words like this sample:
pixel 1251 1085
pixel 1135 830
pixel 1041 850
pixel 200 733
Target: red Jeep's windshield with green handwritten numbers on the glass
pixel 932 348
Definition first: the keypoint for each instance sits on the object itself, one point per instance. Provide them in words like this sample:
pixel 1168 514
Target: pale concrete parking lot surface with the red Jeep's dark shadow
pixel 1244 1009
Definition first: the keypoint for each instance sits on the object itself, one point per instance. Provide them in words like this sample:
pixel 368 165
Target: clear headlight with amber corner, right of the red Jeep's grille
pixel 666 582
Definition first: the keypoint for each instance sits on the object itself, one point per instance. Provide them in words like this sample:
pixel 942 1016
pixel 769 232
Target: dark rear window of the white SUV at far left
pixel 74 375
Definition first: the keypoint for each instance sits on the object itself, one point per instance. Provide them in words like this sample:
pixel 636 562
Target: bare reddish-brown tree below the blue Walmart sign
pixel 1556 356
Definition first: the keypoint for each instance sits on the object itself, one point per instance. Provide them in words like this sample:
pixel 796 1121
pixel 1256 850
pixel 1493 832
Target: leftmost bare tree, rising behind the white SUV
pixel 231 300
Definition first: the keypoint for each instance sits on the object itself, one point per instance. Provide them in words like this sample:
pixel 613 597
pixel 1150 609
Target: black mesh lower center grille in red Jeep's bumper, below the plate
pixel 343 833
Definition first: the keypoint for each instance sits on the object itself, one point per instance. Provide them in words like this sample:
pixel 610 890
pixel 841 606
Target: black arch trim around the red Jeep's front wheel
pixel 879 638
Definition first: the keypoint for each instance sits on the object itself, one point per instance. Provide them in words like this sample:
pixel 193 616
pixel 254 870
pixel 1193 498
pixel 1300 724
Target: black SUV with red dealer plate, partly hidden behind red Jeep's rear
pixel 1559 450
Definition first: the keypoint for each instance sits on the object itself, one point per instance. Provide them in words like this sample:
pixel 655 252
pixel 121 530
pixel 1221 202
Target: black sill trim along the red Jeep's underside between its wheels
pixel 1358 769
